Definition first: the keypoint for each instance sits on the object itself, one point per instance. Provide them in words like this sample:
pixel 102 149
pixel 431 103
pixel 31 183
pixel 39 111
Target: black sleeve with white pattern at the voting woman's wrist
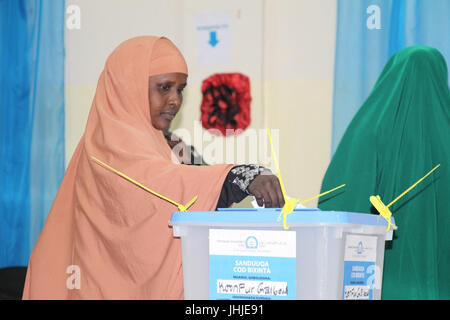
pixel 236 183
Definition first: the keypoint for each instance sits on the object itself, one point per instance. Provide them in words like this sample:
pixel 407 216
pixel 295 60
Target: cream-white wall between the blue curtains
pixel 285 47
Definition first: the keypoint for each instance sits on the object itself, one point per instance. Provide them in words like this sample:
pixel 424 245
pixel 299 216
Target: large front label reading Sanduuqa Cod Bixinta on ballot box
pixel 252 264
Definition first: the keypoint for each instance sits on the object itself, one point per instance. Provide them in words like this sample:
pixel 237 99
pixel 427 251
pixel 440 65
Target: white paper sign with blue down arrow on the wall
pixel 213 38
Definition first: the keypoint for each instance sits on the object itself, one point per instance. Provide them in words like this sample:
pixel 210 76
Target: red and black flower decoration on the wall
pixel 226 103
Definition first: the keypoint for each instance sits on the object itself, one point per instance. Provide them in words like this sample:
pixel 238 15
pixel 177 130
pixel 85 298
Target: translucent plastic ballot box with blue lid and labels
pixel 250 254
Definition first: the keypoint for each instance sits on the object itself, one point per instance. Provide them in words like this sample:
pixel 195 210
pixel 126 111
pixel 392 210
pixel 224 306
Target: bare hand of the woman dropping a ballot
pixel 267 191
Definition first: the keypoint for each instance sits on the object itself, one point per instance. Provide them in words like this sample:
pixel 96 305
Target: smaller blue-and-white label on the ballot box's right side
pixel 359 267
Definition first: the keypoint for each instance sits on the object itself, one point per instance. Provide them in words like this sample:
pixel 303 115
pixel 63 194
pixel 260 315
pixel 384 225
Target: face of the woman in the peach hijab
pixel 165 97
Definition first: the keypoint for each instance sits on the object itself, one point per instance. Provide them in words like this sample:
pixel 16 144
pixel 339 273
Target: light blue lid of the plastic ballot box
pixel 270 216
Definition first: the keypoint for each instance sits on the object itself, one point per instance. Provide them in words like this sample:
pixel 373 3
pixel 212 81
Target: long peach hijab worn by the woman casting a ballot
pixel 111 233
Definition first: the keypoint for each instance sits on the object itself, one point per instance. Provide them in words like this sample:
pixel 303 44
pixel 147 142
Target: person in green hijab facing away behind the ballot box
pixel 399 134
